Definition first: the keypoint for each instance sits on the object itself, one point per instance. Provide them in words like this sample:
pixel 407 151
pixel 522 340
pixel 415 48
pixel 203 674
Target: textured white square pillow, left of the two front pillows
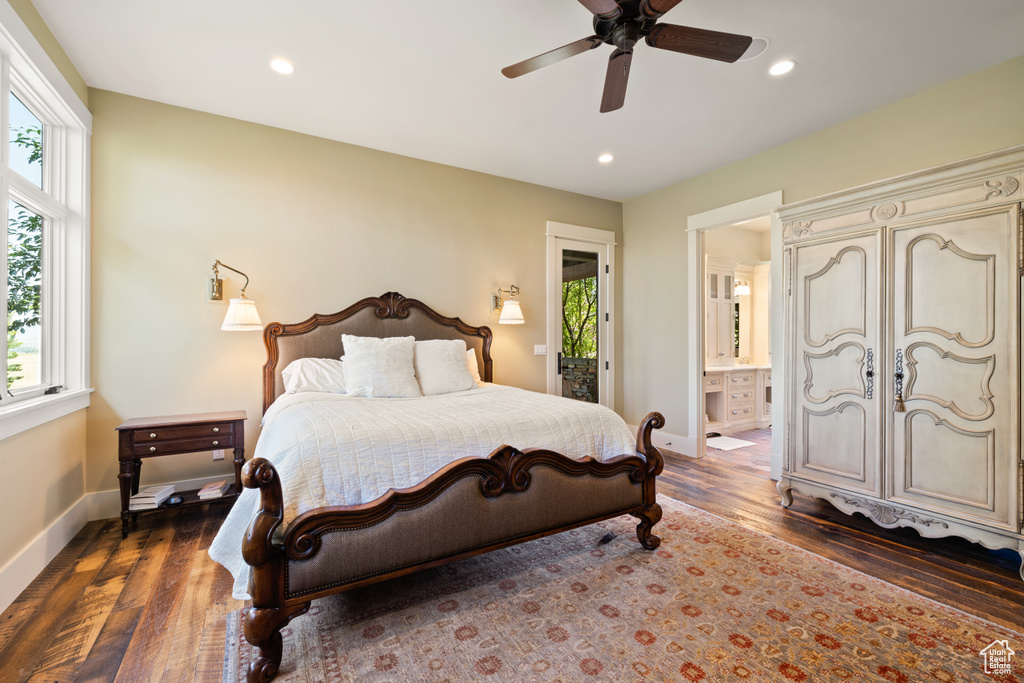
pixel 380 368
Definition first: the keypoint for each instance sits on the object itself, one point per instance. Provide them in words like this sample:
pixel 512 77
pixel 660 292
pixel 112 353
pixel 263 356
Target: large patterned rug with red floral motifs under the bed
pixel 716 603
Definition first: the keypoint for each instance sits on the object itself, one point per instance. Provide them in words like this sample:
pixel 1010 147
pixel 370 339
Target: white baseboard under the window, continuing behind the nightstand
pixel 24 568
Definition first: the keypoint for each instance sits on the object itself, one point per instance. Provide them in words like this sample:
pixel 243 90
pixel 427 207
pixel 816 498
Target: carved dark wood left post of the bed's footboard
pixel 264 621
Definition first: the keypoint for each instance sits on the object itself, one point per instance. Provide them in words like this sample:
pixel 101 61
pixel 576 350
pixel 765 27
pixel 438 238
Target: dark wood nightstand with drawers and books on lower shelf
pixel 174 436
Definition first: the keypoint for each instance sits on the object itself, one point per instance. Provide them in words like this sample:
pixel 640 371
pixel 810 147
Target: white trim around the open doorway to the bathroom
pixel 697 226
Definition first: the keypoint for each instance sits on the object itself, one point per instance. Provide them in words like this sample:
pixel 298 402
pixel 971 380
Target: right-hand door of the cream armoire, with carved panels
pixel 956 327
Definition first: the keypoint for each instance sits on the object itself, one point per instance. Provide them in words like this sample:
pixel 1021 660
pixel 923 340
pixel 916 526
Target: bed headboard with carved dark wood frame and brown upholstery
pixel 391 315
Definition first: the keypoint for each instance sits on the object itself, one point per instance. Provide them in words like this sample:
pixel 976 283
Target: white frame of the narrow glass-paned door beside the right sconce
pixel 605 243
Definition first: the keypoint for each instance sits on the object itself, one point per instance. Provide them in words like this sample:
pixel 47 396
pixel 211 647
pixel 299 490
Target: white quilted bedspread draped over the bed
pixel 338 450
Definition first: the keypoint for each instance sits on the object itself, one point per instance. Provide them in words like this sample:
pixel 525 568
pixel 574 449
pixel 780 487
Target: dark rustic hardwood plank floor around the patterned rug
pixel 152 608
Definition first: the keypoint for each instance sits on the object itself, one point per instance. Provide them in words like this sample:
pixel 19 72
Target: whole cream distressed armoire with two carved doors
pixel 904 332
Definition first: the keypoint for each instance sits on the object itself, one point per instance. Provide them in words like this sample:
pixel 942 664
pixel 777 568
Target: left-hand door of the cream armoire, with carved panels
pixel 836 437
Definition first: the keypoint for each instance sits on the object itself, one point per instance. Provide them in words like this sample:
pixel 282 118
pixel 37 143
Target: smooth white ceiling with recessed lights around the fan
pixel 422 78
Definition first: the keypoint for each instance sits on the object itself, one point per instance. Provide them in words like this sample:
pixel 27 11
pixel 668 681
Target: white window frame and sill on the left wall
pixel 64 203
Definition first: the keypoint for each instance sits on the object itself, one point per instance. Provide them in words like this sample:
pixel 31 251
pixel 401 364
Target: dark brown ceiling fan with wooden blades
pixel 622 25
